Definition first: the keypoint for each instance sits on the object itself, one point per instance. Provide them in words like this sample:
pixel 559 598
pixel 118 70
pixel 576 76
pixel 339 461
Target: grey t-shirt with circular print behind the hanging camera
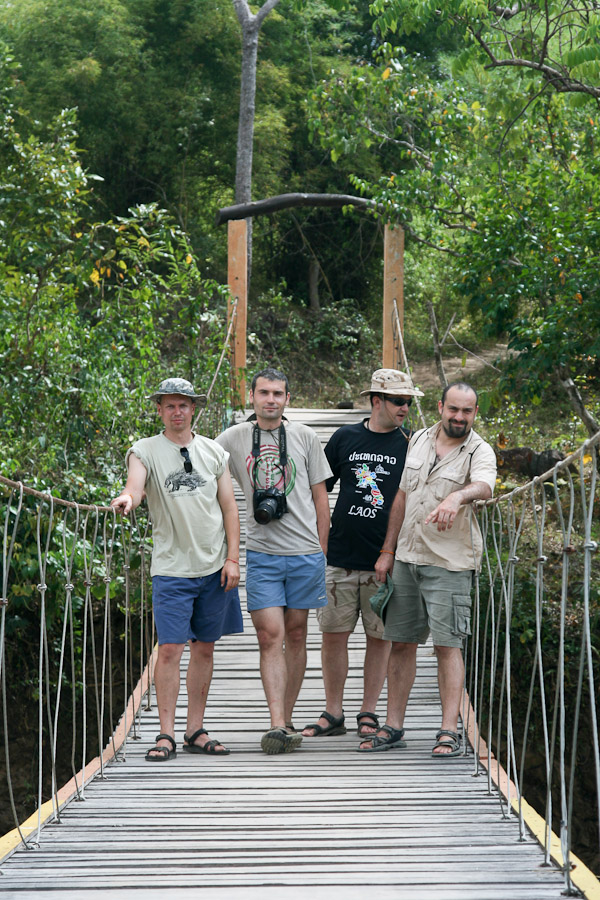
pixel 296 532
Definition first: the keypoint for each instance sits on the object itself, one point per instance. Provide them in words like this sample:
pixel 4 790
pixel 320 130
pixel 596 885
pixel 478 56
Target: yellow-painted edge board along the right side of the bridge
pixel 582 877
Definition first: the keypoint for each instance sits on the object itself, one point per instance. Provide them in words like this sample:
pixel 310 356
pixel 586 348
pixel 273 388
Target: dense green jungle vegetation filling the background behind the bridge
pixel 473 125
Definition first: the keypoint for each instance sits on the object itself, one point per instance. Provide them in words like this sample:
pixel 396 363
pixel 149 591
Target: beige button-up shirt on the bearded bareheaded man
pixel 426 483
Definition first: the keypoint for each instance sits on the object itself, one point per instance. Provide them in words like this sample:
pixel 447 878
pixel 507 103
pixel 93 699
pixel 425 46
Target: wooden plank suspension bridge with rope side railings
pixel 395 825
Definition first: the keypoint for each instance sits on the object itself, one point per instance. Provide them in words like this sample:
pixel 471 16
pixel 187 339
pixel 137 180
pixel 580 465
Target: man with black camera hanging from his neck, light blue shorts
pixel 281 467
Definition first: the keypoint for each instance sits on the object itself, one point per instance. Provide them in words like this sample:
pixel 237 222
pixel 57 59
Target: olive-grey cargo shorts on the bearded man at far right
pixel 429 599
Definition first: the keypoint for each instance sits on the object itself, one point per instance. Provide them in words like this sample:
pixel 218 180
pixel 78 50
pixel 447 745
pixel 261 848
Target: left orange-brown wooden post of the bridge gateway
pixel 237 279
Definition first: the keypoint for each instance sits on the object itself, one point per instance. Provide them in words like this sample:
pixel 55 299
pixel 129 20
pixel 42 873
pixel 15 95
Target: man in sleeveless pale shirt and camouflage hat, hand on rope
pixel 195 557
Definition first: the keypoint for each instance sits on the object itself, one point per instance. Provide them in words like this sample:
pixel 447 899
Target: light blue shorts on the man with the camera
pixel 297 582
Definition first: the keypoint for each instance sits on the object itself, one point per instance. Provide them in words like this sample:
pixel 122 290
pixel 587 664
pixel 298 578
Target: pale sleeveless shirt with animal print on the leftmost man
pixel 187 524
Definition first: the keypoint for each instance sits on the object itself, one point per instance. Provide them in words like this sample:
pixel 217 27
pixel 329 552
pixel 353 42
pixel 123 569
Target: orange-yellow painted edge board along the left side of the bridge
pixel 11 840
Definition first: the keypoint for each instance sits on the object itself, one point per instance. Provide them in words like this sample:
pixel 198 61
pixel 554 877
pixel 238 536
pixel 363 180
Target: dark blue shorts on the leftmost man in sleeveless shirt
pixel 194 609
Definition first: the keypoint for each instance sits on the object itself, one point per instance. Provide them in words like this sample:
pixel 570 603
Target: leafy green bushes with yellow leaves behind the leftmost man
pixel 90 312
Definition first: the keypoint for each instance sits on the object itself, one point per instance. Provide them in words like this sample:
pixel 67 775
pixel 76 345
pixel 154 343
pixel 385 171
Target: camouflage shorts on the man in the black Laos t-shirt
pixel 348 593
